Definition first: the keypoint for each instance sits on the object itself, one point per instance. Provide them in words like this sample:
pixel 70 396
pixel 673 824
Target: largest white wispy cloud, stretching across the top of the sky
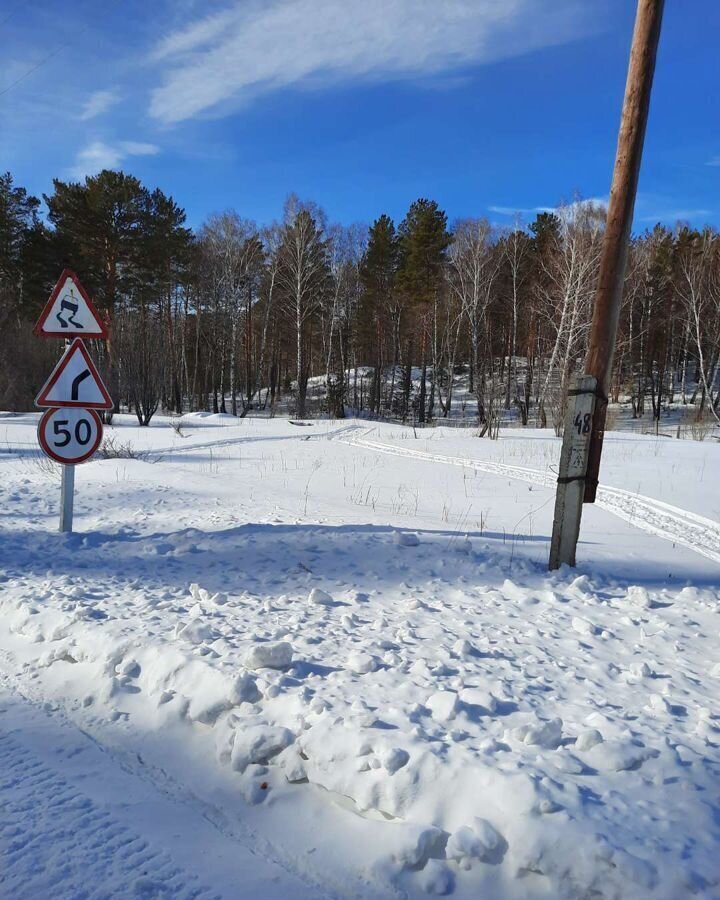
pixel 251 48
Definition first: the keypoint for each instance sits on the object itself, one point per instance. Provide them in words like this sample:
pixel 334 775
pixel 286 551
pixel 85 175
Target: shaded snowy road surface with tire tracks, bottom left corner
pixel 83 856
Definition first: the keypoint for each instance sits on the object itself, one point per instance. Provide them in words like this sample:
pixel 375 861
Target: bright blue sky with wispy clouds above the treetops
pixel 491 107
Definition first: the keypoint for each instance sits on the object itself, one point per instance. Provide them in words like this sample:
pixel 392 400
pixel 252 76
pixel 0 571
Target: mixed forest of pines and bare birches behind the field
pixel 383 320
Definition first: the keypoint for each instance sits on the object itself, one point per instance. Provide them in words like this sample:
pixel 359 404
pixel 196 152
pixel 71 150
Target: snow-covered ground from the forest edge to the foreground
pixel 278 661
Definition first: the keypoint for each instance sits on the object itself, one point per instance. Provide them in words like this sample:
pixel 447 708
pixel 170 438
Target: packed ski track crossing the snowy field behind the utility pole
pixel 653 516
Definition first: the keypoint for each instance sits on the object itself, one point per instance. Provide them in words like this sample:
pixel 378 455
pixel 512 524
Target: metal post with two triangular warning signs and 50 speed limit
pixel 70 430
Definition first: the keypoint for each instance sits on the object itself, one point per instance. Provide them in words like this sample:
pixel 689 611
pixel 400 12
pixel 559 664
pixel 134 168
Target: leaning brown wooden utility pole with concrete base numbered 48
pixel 608 299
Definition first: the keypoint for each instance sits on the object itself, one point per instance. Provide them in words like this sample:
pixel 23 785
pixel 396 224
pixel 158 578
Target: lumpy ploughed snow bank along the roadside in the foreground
pixel 443 750
